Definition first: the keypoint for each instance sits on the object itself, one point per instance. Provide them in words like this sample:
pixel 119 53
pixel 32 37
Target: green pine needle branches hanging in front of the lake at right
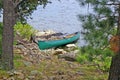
pixel 102 23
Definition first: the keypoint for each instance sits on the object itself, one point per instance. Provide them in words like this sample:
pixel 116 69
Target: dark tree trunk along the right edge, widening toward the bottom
pixel 114 73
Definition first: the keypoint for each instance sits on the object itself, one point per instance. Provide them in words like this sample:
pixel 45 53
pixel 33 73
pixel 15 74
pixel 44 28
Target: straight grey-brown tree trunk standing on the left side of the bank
pixel 8 34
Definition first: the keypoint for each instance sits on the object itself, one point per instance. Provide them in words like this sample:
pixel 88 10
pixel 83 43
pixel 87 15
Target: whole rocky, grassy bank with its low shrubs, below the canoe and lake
pixel 68 62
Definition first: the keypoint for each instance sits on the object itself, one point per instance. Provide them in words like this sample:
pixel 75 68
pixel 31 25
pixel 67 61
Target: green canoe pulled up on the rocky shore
pixel 56 43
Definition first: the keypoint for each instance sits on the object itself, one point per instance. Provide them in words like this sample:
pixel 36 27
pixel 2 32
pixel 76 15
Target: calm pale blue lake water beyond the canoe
pixel 59 16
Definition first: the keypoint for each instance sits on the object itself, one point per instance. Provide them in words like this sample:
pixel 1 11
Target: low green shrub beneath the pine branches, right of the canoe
pixel 101 58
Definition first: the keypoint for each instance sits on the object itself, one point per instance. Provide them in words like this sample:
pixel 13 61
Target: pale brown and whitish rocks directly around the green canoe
pixel 29 48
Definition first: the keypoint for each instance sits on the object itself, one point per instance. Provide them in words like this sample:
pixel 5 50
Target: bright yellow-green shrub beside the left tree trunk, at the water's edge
pixel 25 30
